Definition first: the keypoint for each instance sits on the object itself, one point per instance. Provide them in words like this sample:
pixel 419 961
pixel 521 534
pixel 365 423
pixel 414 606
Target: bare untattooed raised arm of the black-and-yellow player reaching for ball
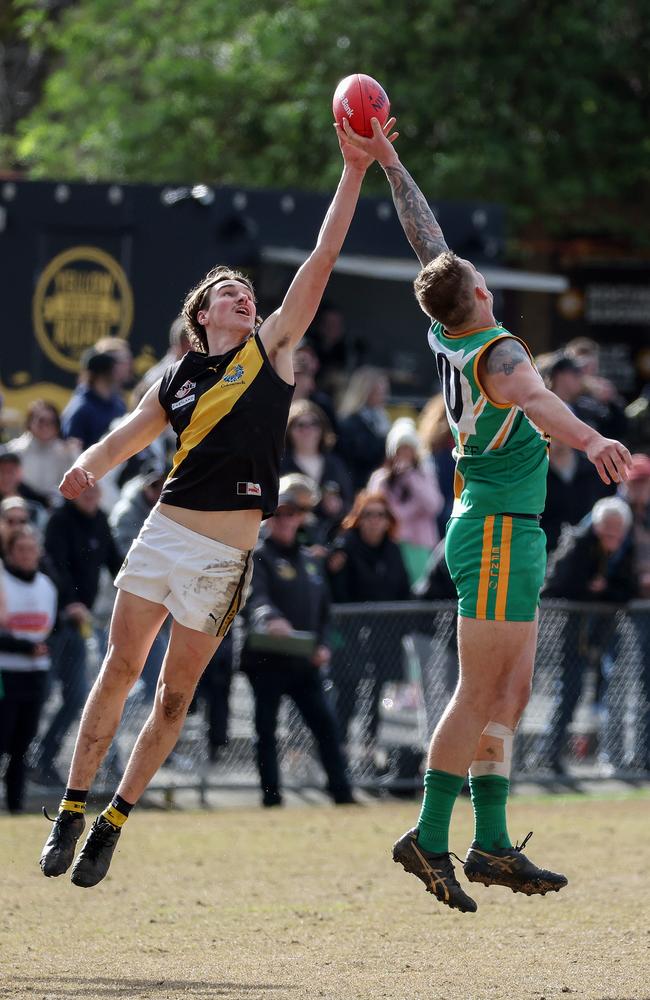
pixel 284 328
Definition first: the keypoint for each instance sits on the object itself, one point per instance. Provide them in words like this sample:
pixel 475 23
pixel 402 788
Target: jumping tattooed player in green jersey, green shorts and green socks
pixel 501 416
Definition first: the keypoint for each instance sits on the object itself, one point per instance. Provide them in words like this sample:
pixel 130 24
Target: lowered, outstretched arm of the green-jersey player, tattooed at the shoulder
pixel 508 378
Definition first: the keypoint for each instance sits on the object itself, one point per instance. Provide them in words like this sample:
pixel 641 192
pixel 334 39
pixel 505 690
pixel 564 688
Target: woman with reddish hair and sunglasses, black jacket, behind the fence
pixel 366 565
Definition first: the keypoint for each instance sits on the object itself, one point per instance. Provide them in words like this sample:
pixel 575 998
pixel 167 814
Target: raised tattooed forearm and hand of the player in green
pixel 418 221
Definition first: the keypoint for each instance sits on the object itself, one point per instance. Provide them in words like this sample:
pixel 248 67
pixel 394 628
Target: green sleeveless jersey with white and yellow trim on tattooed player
pixel 501 456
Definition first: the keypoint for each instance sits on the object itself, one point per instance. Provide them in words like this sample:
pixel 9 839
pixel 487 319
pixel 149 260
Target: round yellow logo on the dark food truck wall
pixel 82 295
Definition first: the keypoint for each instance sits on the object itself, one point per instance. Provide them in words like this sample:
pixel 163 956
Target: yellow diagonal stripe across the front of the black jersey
pixel 218 401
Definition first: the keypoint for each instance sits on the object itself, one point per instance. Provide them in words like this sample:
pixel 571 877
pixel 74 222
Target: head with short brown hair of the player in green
pixel 445 290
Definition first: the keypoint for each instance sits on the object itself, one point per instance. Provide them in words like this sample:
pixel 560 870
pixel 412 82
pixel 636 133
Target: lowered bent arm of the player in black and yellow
pixel 134 433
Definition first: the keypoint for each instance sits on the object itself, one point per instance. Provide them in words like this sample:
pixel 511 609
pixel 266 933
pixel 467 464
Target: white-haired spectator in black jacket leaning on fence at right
pixel 593 562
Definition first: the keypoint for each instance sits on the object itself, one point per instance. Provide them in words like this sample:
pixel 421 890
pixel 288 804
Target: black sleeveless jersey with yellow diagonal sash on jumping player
pixel 229 412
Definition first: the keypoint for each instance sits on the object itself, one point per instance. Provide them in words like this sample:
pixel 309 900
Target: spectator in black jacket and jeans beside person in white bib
pixel 79 543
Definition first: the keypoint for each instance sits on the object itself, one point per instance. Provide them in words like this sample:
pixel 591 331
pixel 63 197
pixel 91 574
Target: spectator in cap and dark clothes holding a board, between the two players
pixel 289 594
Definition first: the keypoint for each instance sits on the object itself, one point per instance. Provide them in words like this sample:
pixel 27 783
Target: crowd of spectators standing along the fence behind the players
pixel 365 502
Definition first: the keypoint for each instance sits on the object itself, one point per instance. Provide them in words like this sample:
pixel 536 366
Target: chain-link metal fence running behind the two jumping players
pixel 393 670
